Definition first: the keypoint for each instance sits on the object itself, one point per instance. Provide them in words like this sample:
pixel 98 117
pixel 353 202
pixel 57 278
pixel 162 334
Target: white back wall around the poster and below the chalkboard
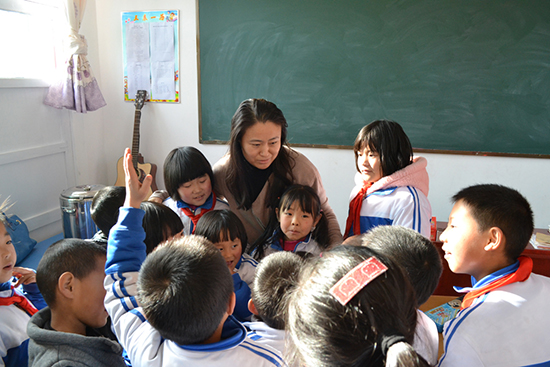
pixel 165 126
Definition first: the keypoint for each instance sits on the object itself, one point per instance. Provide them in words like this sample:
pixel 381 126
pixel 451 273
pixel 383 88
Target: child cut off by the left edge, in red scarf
pixel 17 304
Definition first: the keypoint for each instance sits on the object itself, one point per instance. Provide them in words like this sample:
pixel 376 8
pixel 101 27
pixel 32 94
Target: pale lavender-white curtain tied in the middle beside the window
pixel 77 88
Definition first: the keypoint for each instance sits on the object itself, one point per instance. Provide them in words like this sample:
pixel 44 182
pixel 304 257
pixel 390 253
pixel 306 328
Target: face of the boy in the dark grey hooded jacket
pixel 89 297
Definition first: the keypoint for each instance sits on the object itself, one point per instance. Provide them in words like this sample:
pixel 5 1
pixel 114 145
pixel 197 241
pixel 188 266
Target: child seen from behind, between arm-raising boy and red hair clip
pixel 276 277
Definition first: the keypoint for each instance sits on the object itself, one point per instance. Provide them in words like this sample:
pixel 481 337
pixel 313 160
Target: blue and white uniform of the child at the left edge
pixel 13 325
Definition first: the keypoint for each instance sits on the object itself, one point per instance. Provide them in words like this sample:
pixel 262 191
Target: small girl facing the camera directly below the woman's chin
pixel 300 225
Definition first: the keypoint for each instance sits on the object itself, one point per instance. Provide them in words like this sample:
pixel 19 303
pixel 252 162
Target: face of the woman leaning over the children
pixel 261 144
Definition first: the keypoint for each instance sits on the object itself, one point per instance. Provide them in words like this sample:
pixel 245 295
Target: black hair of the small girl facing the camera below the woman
pixel 309 202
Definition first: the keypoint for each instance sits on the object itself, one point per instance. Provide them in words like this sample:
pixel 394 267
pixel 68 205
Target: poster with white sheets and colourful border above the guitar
pixel 151 55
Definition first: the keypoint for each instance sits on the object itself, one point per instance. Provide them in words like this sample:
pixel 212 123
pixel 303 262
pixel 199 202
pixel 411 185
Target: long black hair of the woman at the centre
pixel 250 112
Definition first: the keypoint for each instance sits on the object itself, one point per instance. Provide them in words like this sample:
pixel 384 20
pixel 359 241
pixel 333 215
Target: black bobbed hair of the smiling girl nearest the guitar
pixel 183 165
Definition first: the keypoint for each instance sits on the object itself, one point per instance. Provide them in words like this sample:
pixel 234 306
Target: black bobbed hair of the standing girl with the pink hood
pixel 388 139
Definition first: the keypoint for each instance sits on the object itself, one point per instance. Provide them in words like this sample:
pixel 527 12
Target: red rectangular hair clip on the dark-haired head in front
pixel 356 279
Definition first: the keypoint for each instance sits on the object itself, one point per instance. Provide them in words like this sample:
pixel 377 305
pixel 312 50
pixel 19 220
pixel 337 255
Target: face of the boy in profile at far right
pixel 463 243
